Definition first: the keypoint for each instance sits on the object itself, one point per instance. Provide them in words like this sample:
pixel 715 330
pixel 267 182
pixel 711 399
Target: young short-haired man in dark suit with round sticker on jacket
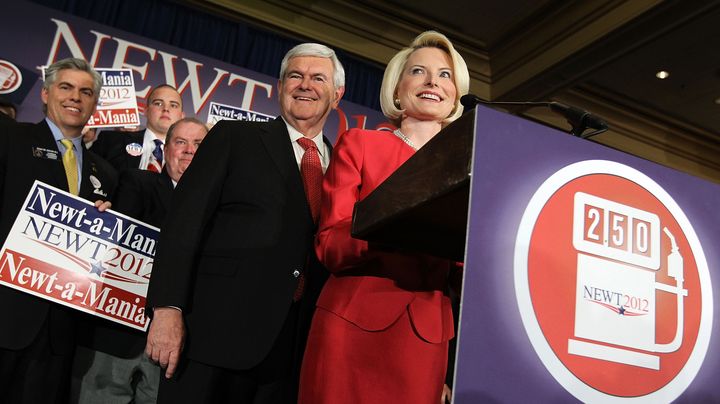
pixel 143 149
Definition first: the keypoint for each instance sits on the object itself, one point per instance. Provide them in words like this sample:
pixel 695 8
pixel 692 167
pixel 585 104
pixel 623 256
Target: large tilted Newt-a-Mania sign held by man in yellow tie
pixel 61 248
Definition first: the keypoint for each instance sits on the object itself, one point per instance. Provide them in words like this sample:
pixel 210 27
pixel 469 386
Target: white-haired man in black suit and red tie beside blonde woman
pixel 235 253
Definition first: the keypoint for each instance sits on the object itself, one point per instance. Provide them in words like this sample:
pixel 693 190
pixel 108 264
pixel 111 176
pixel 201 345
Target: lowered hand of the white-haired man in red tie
pixel 165 338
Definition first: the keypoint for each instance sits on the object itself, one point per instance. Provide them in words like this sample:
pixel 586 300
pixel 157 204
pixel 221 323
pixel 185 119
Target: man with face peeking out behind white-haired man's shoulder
pixel 114 367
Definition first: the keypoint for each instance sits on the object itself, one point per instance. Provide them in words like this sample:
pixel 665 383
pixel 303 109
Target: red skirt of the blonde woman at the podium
pixel 346 364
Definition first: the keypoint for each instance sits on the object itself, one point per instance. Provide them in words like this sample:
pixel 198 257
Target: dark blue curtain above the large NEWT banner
pixel 232 42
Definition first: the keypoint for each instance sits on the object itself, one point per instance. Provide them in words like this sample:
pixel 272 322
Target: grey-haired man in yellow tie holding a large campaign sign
pixel 37 337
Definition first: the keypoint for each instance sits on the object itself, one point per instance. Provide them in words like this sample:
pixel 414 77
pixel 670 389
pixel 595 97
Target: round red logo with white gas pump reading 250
pixel 612 284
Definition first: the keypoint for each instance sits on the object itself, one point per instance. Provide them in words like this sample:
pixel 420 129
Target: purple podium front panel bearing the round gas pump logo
pixel 590 275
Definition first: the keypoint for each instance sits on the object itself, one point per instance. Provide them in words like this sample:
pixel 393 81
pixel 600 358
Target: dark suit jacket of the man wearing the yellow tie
pixel 23 315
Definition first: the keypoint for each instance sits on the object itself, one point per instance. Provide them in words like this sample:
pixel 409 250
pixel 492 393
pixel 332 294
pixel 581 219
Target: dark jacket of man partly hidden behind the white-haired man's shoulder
pixel 143 195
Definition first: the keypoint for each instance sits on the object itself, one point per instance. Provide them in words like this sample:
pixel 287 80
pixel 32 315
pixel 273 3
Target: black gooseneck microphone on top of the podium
pixel 579 119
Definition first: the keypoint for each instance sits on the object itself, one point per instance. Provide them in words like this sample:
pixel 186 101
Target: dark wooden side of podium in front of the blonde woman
pixel 422 206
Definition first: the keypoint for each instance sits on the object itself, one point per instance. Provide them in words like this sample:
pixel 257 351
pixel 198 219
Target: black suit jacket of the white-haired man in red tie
pixel 238 230
